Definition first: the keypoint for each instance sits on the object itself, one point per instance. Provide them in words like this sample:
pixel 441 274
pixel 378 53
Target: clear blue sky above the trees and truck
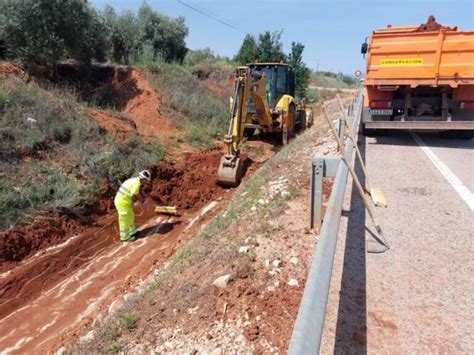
pixel 332 31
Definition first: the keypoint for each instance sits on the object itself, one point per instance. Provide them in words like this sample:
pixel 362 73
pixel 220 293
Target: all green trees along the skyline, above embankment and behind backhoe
pixel 44 32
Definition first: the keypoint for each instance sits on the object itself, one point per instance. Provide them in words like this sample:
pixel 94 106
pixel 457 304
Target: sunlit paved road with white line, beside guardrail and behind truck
pixel 417 296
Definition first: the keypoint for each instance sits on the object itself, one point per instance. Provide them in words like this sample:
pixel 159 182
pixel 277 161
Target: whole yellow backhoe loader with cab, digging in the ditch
pixel 263 99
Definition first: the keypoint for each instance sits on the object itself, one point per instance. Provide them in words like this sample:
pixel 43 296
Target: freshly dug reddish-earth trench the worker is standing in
pixel 62 286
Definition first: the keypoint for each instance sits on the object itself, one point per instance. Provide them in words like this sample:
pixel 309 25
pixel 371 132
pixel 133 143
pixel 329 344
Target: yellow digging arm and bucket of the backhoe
pixel 247 83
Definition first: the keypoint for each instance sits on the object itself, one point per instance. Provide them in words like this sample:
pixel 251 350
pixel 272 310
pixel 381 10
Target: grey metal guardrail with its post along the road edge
pixel 308 329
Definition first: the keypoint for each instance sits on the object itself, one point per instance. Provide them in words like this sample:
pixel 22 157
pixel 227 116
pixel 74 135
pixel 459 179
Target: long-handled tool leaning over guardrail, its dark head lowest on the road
pixel 381 241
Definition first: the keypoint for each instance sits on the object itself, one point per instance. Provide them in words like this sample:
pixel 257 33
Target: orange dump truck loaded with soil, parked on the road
pixel 419 78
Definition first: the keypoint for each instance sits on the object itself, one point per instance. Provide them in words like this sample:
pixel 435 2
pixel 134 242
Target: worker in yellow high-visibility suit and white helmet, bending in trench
pixel 125 198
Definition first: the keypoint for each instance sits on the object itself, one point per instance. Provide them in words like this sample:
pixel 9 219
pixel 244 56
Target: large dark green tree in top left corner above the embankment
pixel 45 31
